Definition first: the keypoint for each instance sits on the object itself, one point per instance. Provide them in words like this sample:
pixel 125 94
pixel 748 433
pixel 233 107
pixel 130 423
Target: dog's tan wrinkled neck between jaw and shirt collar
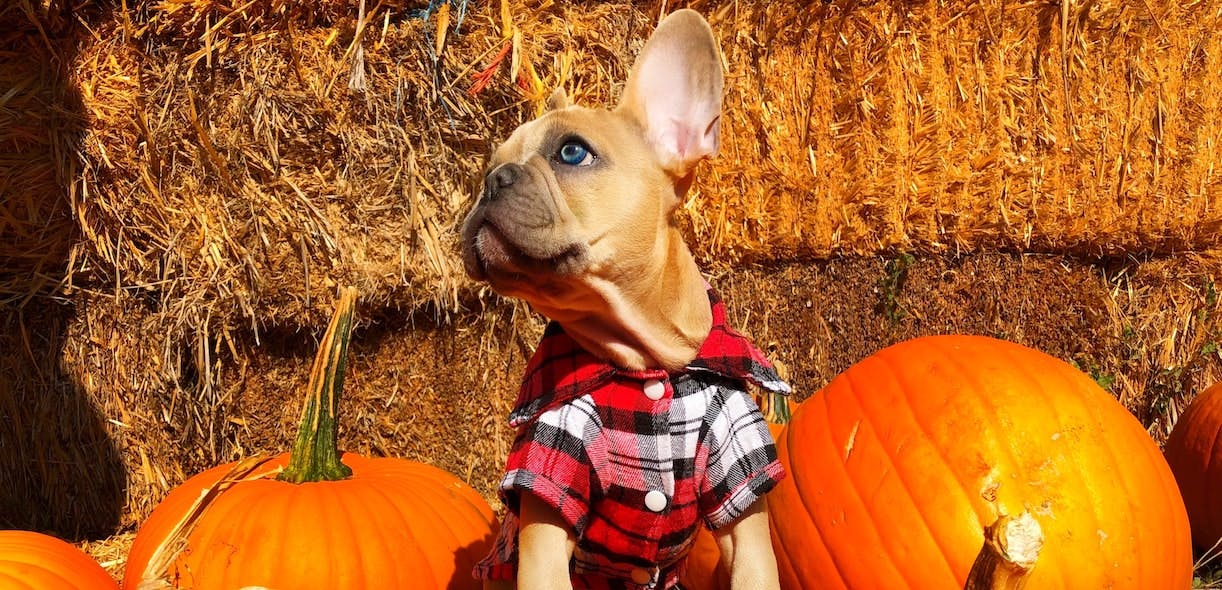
pixel 657 319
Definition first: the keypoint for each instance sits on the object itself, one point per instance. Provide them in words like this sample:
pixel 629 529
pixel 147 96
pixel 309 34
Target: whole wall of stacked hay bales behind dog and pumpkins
pixel 236 162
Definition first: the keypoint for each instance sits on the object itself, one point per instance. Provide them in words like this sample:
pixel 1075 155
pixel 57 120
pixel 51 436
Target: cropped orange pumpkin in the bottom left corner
pixel 40 563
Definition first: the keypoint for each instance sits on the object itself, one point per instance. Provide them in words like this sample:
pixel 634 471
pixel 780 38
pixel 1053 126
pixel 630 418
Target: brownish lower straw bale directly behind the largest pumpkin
pixel 1149 332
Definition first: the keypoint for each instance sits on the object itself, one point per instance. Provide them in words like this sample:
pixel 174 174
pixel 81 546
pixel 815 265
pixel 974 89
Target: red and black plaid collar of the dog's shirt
pixel 562 371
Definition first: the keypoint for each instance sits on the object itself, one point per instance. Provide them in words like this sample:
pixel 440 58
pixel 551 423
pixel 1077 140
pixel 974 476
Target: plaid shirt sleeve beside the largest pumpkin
pixel 742 464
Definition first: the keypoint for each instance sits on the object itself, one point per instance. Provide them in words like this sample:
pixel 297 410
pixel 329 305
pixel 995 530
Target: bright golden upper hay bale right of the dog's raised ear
pixel 964 126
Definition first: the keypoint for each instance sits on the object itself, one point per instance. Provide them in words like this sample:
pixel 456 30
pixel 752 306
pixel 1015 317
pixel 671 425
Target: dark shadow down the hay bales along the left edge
pixel 59 470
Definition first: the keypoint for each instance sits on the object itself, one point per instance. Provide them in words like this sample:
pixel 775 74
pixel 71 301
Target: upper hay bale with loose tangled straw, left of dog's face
pixel 245 179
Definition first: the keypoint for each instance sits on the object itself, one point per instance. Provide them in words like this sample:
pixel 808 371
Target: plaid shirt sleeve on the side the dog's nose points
pixel 549 460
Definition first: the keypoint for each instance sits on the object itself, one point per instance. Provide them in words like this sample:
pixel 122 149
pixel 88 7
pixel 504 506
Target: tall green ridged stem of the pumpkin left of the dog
pixel 316 455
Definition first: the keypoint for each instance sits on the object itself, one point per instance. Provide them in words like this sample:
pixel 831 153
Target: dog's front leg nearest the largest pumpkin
pixel 747 548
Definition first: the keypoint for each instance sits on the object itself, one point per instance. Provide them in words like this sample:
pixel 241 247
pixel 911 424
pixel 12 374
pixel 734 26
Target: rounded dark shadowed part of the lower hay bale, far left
pixel 59 467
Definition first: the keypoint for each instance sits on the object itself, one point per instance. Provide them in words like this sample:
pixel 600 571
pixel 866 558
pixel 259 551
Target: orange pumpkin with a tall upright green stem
pixel 324 522
